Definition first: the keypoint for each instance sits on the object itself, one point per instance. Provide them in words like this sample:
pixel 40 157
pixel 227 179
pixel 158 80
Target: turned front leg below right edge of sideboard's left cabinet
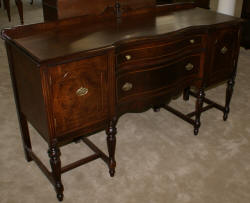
pixel 111 142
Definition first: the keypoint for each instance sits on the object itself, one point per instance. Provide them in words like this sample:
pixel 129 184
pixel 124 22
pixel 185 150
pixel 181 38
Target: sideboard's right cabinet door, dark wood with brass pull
pixel 223 55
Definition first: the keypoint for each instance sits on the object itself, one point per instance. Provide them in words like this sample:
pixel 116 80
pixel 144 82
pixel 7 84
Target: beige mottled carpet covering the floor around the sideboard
pixel 158 158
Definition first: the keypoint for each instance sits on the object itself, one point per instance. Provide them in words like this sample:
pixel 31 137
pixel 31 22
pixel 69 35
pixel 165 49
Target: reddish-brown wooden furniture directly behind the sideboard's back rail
pixel 61 9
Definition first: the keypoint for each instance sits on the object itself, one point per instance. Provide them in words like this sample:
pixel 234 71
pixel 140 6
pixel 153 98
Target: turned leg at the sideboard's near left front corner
pixel 55 162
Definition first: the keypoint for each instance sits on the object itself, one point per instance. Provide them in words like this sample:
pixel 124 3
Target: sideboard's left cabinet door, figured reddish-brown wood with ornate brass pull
pixel 79 91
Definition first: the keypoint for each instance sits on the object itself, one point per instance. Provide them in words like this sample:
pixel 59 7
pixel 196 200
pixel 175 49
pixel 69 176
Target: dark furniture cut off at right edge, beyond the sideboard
pixel 246 28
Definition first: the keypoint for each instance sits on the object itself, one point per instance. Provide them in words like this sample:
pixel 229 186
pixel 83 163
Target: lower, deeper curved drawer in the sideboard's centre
pixel 148 80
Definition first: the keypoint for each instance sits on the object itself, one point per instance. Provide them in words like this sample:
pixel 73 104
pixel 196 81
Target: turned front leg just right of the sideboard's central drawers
pixel 198 108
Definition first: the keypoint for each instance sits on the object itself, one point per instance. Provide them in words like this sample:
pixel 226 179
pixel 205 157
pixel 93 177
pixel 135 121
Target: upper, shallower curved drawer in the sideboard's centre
pixel 158 49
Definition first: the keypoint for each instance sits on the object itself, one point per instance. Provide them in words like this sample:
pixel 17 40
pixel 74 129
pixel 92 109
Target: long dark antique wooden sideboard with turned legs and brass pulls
pixel 74 77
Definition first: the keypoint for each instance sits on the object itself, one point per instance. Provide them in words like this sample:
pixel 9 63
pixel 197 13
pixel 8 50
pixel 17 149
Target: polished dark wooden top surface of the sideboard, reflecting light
pixel 48 41
